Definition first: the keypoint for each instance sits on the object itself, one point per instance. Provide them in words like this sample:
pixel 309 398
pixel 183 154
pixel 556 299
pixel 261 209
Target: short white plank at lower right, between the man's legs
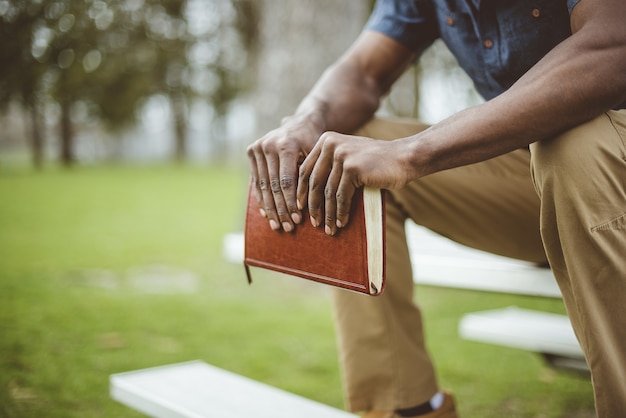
pixel 540 332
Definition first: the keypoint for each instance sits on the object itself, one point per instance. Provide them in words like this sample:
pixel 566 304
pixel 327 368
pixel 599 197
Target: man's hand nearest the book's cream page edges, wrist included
pixel 338 165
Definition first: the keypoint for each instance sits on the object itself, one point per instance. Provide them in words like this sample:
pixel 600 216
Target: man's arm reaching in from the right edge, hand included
pixel 579 79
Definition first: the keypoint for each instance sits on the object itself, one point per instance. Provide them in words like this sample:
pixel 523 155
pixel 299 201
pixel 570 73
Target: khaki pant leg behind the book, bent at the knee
pixel 491 206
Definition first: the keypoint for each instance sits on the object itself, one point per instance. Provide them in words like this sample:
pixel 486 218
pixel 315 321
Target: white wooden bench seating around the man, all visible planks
pixel 196 389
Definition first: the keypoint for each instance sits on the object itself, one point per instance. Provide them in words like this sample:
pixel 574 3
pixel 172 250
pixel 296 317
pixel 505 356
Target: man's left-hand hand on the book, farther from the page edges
pixel 274 169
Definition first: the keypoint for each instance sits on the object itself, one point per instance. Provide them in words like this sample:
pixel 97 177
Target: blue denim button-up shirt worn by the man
pixel 494 41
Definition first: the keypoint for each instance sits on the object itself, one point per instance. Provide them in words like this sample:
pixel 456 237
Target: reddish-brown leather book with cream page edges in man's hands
pixel 353 259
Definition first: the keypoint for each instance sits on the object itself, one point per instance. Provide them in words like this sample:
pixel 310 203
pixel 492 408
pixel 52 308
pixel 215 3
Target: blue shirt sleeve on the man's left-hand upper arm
pixel 410 22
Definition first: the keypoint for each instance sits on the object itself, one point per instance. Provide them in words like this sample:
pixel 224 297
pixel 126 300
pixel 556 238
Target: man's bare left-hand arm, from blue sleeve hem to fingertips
pixel 346 96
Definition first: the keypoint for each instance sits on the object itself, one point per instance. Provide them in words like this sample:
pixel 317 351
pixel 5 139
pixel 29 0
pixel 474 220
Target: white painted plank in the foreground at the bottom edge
pixel 196 389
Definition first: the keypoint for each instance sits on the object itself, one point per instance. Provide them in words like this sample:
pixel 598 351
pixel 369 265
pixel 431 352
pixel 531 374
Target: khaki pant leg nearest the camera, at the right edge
pixel 581 178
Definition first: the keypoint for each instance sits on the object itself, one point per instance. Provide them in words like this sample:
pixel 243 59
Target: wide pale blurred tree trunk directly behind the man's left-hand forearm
pixel 297 41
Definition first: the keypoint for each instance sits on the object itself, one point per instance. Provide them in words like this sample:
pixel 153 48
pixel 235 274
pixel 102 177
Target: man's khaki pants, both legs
pixel 494 206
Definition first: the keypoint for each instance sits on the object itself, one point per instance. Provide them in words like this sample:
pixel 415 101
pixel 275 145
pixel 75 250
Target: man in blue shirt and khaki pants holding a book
pixel 537 172
